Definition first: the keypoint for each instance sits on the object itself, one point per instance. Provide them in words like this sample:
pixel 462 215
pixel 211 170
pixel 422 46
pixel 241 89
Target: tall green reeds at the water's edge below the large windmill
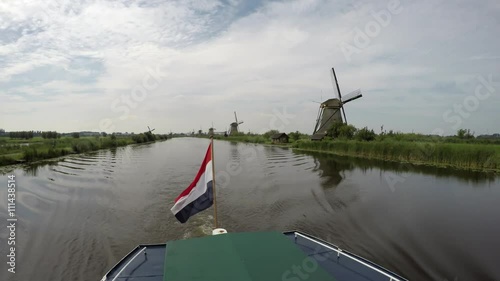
pixel 459 155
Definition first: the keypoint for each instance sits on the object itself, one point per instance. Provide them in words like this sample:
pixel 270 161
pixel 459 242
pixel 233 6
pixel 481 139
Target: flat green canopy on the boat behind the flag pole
pixel 258 256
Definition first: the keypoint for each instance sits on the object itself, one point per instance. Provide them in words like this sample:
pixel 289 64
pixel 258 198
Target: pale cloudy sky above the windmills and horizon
pixel 428 66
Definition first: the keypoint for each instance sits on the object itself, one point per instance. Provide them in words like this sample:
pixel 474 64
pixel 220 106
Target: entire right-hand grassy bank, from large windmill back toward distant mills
pixel 470 154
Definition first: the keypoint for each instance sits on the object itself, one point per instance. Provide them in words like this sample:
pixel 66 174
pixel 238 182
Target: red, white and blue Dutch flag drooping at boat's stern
pixel 199 194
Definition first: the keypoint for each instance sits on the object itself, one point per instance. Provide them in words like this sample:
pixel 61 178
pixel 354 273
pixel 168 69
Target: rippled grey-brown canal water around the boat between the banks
pixel 79 216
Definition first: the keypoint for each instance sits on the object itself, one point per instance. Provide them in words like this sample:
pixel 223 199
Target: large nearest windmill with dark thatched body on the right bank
pixel 329 110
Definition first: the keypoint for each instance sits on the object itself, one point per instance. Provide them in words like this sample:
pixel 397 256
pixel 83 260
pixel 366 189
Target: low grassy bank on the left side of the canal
pixel 13 151
